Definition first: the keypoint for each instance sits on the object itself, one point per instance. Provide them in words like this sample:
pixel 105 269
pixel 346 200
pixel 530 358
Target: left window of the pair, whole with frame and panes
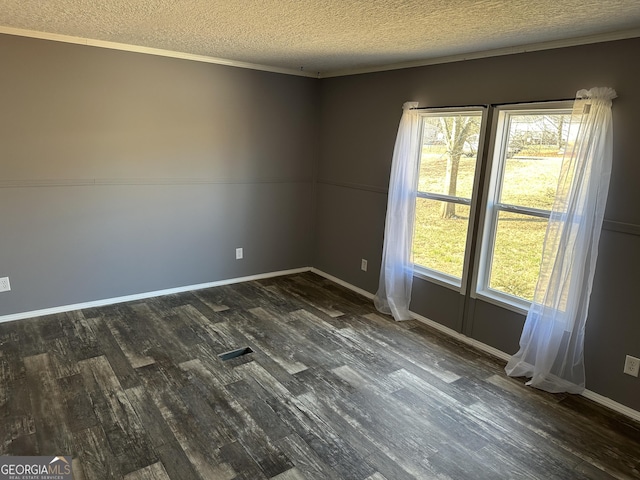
pixel 448 164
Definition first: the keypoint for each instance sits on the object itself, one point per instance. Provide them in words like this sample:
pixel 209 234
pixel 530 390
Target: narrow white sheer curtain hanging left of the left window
pixel 396 272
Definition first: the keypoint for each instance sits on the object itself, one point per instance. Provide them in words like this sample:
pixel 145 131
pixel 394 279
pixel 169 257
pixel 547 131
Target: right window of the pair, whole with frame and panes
pixel 527 156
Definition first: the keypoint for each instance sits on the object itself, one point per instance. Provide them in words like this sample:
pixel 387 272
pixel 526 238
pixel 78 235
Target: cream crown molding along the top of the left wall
pixel 152 51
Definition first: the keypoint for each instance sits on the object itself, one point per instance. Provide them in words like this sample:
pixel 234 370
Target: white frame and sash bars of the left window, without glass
pixel 437 277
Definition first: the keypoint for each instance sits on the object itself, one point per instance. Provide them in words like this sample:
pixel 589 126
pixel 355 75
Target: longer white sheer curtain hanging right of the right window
pixel 552 341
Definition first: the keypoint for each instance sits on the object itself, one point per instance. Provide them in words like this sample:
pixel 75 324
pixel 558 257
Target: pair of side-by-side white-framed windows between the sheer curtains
pixel 521 173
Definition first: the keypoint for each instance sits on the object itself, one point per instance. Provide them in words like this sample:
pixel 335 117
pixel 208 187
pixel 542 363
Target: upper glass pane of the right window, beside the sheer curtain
pixel 533 158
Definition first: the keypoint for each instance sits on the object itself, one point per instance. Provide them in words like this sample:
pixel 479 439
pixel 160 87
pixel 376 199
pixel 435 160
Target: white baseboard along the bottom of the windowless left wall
pixel 142 296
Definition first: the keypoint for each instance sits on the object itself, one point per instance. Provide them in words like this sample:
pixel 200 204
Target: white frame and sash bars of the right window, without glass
pixel 491 206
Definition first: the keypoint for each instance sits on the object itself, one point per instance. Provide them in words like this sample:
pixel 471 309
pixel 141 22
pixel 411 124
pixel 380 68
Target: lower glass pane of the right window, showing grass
pixel 517 254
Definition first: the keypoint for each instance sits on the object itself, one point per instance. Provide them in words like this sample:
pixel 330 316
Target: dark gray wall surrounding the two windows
pixel 359 120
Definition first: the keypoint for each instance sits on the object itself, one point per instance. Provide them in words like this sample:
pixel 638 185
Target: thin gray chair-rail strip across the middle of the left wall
pixel 83 182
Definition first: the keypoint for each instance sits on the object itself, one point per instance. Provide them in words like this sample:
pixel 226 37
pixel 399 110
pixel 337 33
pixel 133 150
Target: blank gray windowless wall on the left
pixel 123 173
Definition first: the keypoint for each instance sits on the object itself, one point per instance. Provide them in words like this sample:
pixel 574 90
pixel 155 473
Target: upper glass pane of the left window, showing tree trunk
pixel 449 153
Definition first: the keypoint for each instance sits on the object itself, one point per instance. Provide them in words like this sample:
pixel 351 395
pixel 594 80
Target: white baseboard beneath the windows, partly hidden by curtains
pixel 593 396
